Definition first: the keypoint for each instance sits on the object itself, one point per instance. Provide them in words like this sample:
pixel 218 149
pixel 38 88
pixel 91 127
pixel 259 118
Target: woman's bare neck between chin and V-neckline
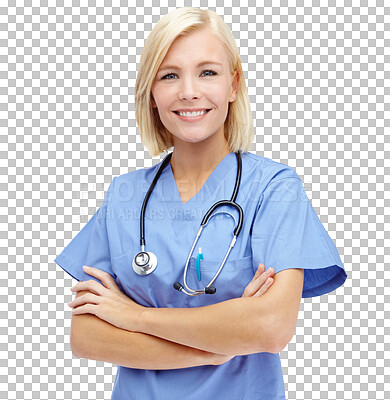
pixel 194 161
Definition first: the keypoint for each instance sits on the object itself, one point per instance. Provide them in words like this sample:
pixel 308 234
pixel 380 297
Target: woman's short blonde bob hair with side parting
pixel 183 21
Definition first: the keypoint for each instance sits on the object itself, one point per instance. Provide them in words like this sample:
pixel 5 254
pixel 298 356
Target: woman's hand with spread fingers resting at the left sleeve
pixel 106 301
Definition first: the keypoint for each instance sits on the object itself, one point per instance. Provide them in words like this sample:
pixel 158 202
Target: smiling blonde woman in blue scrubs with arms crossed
pixel 224 343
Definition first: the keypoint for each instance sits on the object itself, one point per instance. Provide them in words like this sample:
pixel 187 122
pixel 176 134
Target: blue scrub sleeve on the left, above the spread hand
pixel 90 246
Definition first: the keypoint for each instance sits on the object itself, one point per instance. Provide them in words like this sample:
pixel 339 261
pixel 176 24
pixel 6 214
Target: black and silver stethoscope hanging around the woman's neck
pixel 145 262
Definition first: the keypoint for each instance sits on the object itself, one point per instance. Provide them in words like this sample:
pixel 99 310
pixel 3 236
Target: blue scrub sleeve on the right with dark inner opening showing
pixel 287 233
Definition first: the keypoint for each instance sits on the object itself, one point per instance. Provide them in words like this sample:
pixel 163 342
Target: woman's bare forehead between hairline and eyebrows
pixel 195 48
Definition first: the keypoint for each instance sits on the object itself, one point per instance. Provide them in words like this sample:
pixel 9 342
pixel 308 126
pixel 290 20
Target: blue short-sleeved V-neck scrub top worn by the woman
pixel 280 229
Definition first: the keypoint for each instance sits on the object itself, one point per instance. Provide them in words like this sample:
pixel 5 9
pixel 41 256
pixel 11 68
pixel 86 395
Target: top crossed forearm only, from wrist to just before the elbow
pixel 234 327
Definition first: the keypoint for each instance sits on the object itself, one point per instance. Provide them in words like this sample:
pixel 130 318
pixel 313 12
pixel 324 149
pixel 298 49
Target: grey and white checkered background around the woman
pixel 318 76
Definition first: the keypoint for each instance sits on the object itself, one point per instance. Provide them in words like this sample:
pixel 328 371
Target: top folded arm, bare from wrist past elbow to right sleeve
pixel 238 326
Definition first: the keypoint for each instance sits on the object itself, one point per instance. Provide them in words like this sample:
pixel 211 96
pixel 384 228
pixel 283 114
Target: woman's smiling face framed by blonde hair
pixel 194 76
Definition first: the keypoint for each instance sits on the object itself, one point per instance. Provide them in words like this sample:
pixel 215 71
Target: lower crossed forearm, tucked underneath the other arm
pixel 96 339
